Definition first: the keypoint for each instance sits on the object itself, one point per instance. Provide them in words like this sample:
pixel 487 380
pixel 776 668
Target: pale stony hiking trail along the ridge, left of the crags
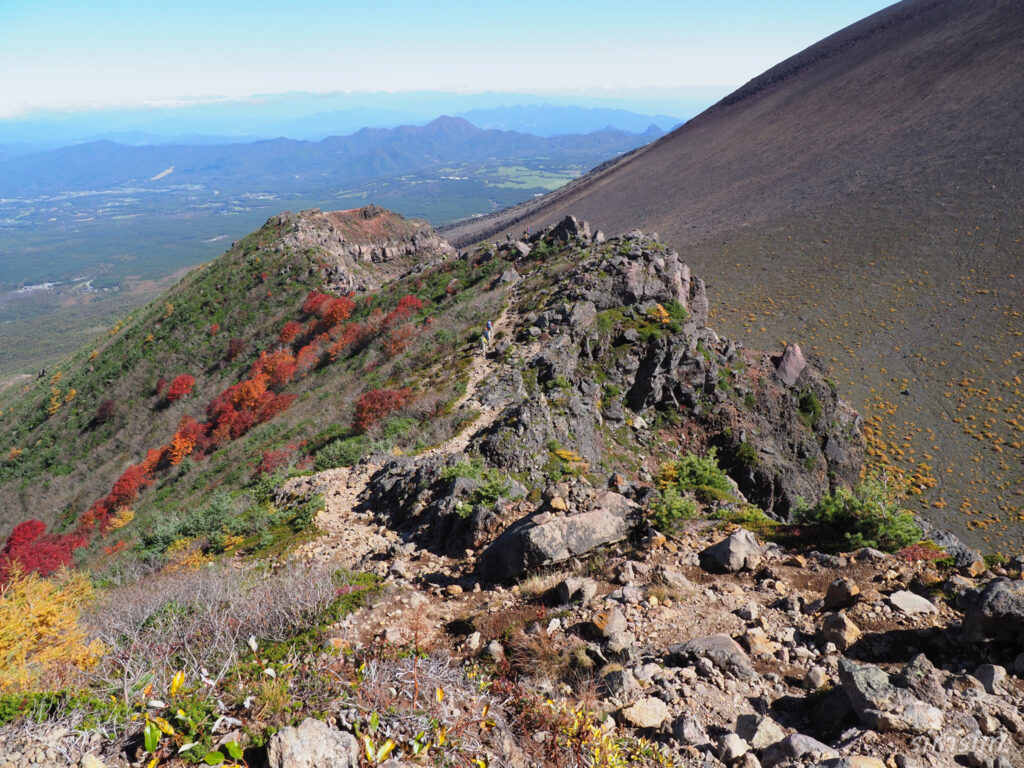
pixel 353 535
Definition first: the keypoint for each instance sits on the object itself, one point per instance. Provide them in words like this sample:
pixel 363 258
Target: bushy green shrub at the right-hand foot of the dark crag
pixel 868 517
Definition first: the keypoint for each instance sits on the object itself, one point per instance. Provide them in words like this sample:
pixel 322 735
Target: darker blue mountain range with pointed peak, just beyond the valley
pixel 286 166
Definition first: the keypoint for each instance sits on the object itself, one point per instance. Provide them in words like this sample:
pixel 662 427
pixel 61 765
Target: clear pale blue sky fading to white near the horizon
pixel 70 55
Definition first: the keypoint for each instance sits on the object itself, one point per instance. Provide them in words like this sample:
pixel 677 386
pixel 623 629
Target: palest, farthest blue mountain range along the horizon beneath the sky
pixel 314 117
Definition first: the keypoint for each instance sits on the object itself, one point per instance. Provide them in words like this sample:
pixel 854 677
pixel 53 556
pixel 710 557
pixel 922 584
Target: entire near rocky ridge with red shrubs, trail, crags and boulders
pixel 521 505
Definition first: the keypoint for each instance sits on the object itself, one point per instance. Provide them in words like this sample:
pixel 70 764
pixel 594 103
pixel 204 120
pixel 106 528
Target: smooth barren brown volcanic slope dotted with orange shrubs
pixel 865 199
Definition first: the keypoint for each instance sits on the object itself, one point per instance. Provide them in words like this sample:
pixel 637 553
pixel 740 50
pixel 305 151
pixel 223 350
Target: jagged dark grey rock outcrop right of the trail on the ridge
pixel 624 340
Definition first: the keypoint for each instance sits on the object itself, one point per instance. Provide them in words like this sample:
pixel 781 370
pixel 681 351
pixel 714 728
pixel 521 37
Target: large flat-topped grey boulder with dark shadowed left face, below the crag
pixel 544 539
